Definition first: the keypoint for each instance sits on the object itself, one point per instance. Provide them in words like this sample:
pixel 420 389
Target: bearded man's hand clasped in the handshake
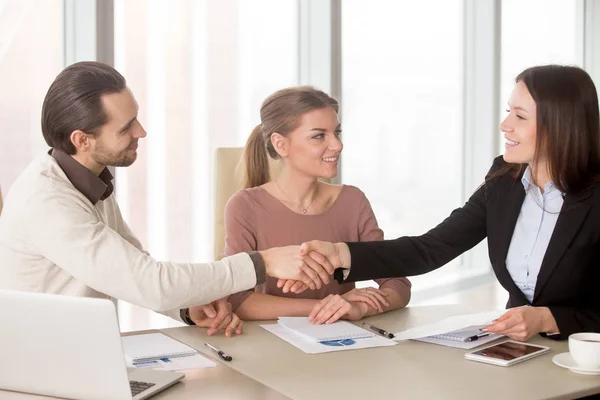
pixel 287 263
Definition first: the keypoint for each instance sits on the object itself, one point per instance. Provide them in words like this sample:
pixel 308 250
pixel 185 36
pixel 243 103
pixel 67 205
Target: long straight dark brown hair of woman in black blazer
pixel 568 126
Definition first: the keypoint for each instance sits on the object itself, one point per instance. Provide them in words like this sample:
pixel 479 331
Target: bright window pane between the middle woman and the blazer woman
pixel 402 111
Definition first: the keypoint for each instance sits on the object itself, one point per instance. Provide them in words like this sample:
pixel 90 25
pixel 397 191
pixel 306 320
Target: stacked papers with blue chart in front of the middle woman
pixel 313 339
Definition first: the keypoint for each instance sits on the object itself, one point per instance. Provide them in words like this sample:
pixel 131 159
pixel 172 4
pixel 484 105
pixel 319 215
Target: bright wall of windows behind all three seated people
pixel 423 86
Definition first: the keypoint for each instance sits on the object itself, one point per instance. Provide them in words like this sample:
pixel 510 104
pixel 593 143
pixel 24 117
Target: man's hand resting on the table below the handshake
pixel 216 316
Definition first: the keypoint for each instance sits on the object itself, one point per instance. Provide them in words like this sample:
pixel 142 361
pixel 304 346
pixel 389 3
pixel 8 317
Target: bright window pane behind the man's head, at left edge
pixel 31 55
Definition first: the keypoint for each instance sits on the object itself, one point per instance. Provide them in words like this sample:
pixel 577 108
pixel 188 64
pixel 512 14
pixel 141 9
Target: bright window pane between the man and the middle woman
pixel 200 71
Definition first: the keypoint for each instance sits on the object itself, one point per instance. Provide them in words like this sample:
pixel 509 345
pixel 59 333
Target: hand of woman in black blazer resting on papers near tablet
pixel 522 323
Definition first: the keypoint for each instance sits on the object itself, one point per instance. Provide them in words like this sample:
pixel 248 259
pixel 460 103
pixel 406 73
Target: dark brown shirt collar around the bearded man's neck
pixel 93 187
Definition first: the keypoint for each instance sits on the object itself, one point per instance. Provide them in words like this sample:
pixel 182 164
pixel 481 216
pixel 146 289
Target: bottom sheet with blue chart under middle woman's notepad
pixel 312 347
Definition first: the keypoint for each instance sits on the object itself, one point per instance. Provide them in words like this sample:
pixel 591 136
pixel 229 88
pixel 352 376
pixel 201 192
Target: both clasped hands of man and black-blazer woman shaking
pixel 309 265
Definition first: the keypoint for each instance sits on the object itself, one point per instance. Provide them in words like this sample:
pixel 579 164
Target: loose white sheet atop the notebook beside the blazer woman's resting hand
pixel 449 324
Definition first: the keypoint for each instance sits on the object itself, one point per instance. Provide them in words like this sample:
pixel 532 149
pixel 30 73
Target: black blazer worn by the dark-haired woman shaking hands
pixel 569 278
